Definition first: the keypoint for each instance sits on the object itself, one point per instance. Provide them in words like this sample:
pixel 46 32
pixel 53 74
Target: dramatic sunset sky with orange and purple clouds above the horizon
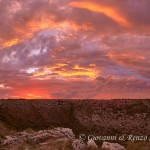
pixel 74 49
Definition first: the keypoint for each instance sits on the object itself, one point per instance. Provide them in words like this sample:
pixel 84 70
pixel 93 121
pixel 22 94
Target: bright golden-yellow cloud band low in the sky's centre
pixel 60 71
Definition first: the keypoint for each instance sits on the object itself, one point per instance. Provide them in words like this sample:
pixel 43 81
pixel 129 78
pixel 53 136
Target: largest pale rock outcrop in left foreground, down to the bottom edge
pixel 57 137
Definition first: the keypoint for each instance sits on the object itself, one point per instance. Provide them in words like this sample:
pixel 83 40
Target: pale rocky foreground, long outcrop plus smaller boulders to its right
pixel 54 139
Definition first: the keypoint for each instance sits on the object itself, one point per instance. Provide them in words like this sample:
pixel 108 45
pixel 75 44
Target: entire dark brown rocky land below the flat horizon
pixel 37 124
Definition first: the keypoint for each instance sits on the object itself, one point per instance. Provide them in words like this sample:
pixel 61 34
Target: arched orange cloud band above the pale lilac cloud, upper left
pixel 34 26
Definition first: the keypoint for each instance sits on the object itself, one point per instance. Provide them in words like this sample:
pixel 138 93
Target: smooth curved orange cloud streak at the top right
pixel 107 10
